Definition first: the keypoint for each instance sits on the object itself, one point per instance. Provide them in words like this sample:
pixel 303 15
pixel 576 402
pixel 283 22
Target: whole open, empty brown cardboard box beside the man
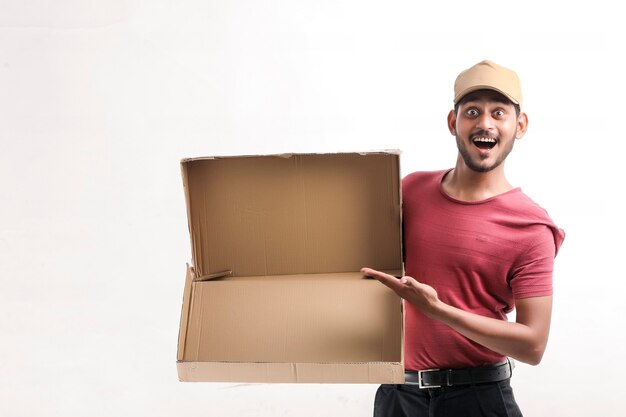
pixel 275 294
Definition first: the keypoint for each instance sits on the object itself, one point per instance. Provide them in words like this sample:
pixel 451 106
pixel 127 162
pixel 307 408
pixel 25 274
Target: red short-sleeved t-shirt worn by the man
pixel 479 256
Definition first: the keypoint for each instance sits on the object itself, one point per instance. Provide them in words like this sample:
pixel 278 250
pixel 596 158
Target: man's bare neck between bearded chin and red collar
pixel 464 184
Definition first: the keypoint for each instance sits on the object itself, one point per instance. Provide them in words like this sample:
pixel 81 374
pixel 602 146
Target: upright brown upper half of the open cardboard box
pixel 294 214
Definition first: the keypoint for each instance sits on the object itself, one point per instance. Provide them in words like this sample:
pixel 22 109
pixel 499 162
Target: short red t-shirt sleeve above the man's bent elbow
pixel 532 273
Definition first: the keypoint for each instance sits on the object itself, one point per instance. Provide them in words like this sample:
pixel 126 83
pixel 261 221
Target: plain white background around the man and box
pixel 99 100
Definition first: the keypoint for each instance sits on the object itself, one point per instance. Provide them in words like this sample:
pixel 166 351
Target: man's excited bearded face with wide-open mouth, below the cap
pixel 486 126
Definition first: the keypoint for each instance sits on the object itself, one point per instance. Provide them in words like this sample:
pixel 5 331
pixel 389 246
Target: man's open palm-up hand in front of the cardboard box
pixel 420 295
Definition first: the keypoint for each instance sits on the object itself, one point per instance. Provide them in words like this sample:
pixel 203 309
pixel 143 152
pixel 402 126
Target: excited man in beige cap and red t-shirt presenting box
pixel 475 248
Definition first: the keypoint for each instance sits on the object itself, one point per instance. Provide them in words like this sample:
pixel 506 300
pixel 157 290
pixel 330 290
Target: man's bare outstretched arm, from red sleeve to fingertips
pixel 524 340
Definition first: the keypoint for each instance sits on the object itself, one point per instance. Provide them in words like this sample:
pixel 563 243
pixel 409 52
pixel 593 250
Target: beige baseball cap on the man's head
pixel 487 75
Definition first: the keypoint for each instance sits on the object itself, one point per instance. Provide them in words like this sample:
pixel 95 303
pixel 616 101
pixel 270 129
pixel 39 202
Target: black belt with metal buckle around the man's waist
pixel 436 378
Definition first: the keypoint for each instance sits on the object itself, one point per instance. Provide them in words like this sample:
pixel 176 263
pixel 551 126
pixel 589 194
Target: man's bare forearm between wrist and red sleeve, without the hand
pixel 525 342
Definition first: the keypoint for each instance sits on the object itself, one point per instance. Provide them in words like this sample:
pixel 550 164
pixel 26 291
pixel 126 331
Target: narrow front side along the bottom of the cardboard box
pixel 341 373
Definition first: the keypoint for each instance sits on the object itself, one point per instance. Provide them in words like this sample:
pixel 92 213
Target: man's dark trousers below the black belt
pixel 492 399
